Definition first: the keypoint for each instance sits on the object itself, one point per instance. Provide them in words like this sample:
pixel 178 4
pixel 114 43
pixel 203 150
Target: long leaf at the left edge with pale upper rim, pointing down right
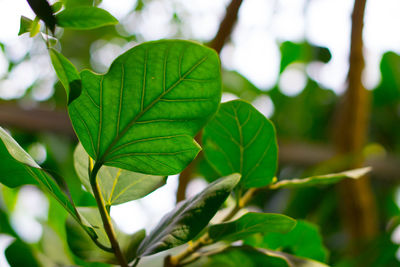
pixel 18 168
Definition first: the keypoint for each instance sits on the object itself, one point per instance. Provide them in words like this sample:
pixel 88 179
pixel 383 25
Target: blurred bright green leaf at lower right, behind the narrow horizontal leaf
pixel 304 241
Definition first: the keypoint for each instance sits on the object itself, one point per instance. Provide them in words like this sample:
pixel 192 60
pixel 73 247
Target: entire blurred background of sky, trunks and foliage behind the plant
pixel 289 58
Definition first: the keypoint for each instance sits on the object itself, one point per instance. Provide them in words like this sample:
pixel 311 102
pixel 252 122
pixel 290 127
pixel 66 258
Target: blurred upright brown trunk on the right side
pixel 357 200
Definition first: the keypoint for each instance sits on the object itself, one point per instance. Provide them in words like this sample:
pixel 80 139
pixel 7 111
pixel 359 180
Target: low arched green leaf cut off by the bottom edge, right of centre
pixel 240 256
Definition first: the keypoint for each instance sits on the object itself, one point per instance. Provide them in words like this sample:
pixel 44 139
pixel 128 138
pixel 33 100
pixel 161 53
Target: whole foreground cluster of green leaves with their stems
pixel 136 125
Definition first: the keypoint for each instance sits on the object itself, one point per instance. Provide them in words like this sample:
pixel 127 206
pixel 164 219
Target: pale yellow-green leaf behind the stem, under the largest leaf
pixel 117 186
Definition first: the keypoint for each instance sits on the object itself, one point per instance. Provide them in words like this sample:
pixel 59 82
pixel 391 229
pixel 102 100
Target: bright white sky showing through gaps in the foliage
pixel 253 52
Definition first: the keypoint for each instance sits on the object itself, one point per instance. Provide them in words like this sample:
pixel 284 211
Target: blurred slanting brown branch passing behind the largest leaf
pixel 224 31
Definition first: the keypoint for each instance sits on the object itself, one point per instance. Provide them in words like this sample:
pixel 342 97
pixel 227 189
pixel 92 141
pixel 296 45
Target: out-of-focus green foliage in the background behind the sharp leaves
pixel 305 117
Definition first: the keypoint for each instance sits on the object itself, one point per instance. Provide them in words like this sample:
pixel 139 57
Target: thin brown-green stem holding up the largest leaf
pixel 105 217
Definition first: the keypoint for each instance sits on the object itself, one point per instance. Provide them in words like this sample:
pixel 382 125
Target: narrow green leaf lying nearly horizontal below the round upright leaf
pixel 249 224
